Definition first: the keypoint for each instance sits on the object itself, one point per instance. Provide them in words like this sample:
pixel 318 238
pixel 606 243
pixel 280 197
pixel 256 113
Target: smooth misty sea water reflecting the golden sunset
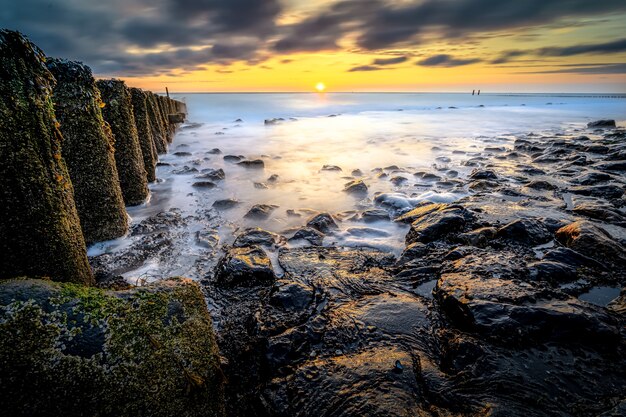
pixel 398 134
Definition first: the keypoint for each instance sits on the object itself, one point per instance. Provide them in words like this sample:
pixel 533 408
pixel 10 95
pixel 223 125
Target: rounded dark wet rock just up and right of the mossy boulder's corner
pixel 245 267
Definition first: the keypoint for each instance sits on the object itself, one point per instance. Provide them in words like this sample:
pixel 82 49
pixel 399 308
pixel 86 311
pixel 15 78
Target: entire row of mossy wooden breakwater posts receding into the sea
pixel 75 152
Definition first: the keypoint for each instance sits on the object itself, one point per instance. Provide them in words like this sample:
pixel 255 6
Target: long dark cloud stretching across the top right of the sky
pixel 380 24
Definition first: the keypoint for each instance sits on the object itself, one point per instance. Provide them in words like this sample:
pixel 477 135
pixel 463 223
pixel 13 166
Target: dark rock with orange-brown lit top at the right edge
pixel 585 237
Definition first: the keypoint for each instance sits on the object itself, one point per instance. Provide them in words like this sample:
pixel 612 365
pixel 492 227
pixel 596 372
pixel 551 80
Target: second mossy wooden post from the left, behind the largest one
pixel 88 152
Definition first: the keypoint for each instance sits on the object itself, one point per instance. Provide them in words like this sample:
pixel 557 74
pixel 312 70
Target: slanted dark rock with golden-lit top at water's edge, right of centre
pixel 438 224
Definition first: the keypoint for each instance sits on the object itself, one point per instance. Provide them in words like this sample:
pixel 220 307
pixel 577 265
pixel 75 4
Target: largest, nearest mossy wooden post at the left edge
pixel 40 232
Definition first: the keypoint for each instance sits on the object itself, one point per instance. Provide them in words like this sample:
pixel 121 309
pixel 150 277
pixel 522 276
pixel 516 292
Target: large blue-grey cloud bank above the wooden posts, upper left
pixel 107 34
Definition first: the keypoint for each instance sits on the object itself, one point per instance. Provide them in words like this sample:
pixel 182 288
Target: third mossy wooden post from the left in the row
pixel 118 111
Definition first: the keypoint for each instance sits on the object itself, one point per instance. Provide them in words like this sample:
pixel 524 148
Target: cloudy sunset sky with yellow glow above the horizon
pixel 349 45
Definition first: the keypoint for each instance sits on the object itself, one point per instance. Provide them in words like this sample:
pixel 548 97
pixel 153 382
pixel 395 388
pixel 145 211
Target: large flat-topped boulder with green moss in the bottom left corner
pixel 70 350
